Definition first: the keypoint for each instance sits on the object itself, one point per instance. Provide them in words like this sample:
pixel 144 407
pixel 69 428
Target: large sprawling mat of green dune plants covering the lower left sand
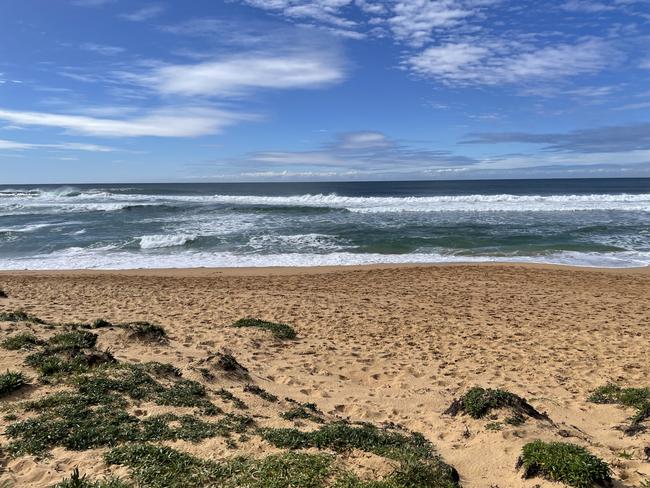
pixel 100 402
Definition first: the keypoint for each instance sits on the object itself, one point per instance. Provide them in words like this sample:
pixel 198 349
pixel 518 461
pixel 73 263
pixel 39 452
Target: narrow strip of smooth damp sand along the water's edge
pixel 315 270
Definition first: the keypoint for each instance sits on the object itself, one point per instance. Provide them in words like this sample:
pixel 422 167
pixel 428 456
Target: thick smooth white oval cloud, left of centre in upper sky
pixel 235 75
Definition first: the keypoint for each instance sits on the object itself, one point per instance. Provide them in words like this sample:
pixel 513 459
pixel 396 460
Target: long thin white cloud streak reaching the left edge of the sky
pixel 168 122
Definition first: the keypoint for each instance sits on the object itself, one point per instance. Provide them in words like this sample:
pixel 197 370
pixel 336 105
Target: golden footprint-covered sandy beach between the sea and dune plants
pixel 379 344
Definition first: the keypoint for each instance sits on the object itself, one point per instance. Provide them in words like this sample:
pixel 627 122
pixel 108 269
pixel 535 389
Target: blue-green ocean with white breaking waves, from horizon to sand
pixel 585 222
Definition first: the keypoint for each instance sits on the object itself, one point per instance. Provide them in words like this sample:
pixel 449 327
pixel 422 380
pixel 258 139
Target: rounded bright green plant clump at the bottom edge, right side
pixel 560 461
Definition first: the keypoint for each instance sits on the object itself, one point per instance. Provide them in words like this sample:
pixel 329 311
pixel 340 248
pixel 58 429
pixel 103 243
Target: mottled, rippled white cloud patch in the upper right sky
pixel 498 63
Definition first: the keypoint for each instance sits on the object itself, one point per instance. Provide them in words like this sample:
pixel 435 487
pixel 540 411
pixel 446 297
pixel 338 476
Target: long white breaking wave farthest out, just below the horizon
pixel 70 200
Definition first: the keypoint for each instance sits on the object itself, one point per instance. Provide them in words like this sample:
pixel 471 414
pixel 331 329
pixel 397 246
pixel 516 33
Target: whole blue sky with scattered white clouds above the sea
pixel 298 90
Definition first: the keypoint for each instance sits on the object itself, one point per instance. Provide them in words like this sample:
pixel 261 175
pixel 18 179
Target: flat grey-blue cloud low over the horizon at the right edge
pixel 612 139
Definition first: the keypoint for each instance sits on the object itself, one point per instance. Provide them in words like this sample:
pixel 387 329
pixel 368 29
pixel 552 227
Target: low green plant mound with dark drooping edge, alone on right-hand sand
pixel 479 402
